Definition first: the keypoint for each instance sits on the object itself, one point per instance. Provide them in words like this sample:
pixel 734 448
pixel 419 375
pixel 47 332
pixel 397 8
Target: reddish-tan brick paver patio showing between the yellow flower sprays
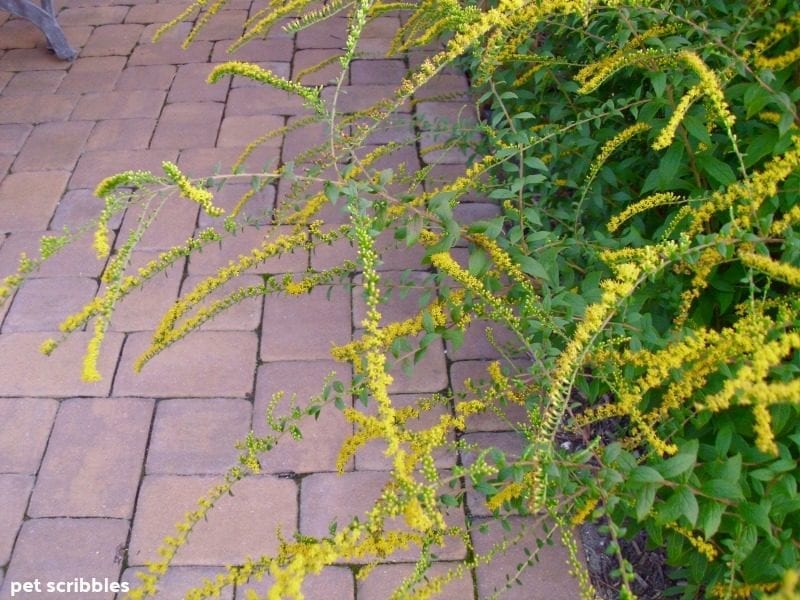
pixel 92 476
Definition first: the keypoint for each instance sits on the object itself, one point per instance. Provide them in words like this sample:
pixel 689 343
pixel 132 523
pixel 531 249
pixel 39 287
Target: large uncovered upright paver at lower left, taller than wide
pixel 94 459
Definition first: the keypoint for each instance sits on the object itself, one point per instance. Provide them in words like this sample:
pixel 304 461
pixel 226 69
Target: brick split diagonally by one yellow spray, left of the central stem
pixel 231 247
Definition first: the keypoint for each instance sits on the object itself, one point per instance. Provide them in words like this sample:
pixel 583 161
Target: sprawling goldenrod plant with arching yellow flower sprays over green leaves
pixel 645 157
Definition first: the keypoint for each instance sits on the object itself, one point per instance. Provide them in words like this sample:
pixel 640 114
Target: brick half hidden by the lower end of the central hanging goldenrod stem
pixel 329 497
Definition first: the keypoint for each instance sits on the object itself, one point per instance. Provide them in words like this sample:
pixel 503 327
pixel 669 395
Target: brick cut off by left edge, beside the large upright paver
pixel 22 444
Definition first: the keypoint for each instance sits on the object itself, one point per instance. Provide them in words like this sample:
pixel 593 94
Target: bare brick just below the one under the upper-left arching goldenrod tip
pixel 188 124
